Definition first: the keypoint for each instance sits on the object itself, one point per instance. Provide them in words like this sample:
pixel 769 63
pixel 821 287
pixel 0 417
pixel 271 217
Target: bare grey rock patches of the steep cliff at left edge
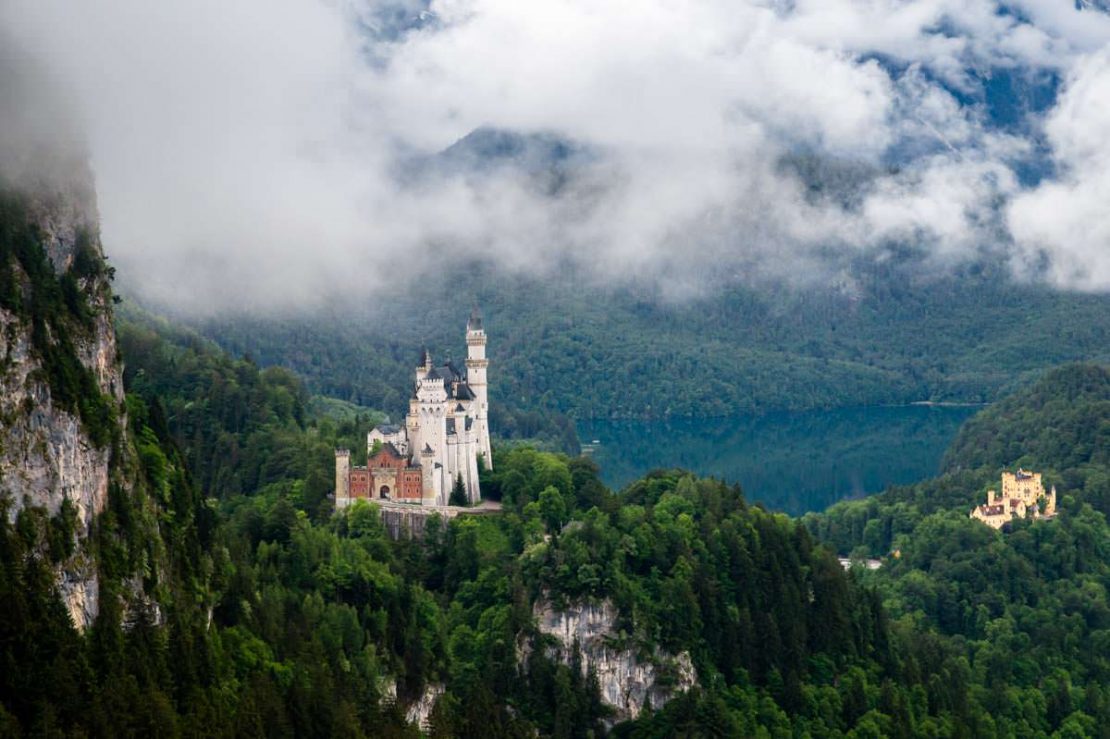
pixel 46 457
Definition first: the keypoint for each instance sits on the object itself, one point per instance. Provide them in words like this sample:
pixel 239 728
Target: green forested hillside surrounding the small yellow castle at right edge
pixel 1023 614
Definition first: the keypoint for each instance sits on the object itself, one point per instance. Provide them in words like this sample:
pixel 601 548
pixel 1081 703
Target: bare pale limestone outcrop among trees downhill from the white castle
pixel 628 683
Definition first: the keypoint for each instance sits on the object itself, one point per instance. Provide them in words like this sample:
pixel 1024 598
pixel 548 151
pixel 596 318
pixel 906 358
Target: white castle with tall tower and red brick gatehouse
pixel 447 429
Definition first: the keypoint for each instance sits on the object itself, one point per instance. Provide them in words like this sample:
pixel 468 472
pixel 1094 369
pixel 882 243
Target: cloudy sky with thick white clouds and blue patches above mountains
pixel 260 153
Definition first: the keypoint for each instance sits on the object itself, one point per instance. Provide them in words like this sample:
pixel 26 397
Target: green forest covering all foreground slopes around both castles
pixel 236 602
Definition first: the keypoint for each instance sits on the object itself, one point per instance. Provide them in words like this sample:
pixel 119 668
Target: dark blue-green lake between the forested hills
pixel 792 462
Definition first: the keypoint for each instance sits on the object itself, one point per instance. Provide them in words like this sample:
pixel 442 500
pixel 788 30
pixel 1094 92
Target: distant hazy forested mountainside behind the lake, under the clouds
pixel 884 333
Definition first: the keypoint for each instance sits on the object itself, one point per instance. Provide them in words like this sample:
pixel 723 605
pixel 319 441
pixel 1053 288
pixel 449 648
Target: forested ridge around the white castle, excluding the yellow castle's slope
pixel 276 619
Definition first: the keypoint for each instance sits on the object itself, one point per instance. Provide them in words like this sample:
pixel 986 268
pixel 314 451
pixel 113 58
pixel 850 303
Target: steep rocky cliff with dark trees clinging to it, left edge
pixel 62 389
